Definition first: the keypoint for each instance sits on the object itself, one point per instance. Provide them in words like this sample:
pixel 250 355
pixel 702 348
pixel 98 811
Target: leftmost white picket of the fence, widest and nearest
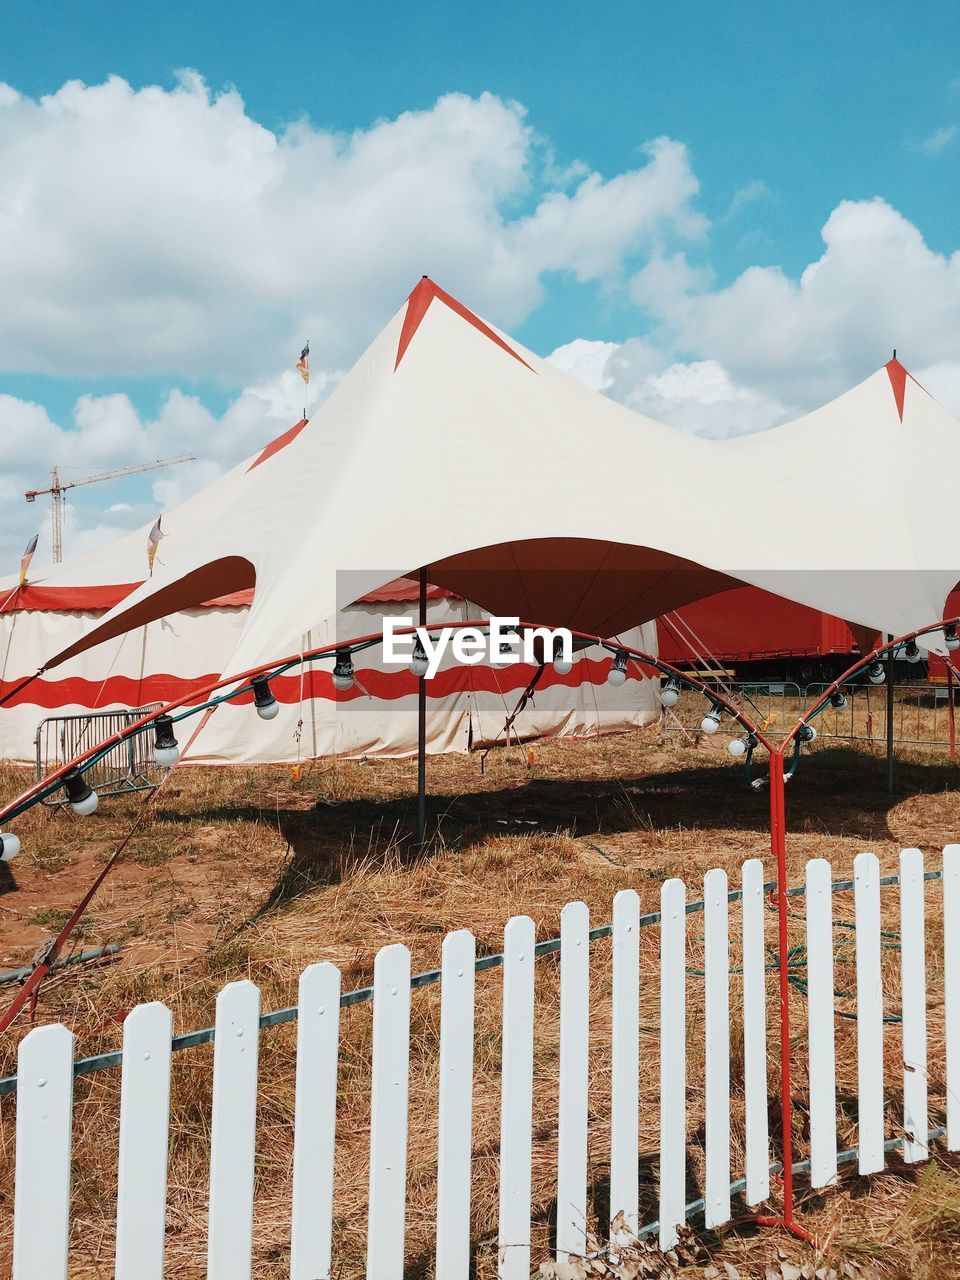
pixel 44 1142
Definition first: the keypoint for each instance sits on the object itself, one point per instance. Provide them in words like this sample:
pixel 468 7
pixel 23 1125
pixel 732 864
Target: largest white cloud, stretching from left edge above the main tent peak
pixel 170 232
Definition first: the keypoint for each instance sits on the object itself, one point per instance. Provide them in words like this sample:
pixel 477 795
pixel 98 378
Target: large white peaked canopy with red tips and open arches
pixel 452 447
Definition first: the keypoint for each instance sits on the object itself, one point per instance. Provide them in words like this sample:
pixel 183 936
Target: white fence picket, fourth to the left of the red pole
pixel 625 1072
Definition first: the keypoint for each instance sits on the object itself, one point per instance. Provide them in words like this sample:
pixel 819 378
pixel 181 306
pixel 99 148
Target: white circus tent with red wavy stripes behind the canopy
pixel 162 661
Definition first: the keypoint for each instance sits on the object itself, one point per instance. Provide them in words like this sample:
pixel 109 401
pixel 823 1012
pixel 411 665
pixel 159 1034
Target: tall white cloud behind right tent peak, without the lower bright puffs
pixel 803 341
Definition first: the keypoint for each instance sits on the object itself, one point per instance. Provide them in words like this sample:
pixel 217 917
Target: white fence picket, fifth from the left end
pixel 388 1116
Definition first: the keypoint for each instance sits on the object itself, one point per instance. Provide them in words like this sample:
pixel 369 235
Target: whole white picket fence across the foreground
pixel 45 1086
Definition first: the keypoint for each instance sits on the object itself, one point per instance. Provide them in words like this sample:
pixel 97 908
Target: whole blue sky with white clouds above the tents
pixel 778 116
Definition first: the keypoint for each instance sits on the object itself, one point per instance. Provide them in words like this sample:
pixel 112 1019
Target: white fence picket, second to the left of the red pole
pixel 717 1032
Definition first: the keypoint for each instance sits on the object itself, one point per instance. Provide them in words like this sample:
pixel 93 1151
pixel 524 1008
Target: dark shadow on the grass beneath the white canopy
pixel 836 792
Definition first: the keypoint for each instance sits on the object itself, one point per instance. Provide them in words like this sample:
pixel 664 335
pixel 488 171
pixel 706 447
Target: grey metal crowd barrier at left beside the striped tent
pixel 129 767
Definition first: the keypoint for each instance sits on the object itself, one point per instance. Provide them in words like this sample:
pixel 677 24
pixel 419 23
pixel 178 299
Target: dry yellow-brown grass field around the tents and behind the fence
pixel 254 874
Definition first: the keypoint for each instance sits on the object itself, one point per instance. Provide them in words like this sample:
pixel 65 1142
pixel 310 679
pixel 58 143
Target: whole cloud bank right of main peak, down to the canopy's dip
pixel 770 346
